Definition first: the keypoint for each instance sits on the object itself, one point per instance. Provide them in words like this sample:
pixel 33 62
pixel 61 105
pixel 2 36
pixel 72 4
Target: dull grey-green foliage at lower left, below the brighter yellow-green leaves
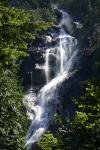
pixel 13 120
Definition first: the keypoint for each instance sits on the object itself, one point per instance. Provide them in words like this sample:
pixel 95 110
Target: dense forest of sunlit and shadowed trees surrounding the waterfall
pixel 20 23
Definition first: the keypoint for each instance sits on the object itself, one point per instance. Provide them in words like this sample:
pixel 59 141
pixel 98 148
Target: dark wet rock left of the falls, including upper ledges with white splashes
pixel 32 71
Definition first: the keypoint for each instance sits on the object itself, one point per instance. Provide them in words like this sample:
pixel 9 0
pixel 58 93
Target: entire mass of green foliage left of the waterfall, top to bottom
pixel 17 29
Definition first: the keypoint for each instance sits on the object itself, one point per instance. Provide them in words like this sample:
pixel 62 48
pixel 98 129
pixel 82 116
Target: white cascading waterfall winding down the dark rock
pixel 65 57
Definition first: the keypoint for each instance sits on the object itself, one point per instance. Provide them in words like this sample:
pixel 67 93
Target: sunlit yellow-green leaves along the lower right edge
pixel 86 123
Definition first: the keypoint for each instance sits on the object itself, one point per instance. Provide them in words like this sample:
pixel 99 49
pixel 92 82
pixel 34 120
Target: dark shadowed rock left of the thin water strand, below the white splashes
pixel 29 74
